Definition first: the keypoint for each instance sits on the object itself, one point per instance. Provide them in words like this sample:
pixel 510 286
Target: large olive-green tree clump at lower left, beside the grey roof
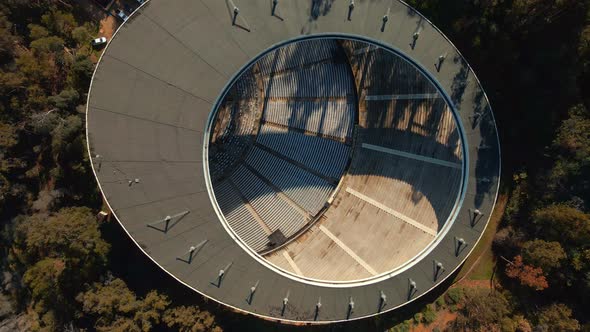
pixel 62 251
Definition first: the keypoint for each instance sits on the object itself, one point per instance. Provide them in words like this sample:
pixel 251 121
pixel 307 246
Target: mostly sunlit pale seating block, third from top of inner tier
pixel 332 118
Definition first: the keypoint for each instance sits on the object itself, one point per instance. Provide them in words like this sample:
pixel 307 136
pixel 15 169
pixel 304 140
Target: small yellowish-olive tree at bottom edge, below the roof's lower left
pixel 190 319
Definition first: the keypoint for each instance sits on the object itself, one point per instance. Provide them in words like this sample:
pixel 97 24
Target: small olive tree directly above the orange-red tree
pixel 546 255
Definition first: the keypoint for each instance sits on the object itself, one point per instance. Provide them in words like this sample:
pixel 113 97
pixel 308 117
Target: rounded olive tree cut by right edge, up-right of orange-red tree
pixel 563 223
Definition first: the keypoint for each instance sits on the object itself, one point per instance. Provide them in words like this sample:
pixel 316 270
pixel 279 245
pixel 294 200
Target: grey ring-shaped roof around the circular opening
pixel 149 107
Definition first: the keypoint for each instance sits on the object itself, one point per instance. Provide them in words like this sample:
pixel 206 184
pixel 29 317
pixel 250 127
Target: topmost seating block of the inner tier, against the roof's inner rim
pixel 296 55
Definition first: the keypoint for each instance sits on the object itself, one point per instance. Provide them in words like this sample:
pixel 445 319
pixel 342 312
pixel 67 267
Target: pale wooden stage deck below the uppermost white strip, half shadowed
pixel 399 191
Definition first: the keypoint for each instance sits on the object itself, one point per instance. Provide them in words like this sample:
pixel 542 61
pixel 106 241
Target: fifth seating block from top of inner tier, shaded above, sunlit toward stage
pixel 307 190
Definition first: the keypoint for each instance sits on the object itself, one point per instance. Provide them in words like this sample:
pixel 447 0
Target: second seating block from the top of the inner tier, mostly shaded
pixel 320 81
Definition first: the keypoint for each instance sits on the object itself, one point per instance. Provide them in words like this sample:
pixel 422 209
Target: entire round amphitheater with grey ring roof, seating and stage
pixel 302 161
